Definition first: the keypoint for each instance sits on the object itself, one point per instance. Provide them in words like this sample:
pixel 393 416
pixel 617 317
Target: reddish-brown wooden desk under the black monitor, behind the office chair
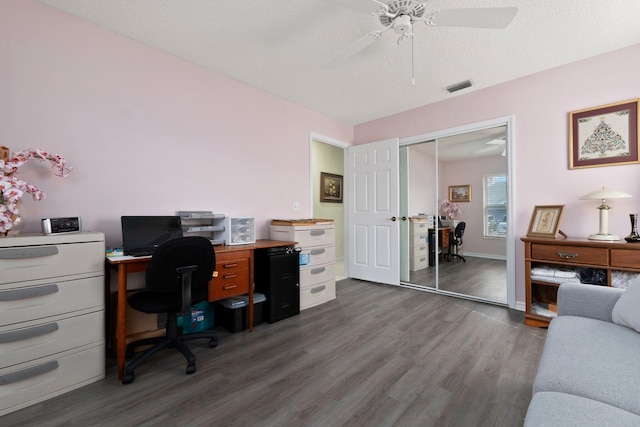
pixel 226 256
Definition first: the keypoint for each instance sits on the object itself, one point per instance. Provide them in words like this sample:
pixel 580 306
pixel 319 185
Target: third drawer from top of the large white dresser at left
pixel 49 337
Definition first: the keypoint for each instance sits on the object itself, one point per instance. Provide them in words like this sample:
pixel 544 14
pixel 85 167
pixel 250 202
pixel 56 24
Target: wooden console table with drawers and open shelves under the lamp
pixel 541 295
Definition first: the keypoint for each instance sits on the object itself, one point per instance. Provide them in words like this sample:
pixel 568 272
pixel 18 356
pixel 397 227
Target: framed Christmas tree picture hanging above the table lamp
pixel 604 136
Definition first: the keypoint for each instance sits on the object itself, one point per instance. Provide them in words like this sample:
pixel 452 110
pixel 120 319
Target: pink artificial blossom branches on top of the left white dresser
pixel 12 189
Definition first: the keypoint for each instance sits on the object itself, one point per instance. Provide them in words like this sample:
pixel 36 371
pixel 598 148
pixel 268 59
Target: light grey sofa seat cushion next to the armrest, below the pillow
pixel 593 359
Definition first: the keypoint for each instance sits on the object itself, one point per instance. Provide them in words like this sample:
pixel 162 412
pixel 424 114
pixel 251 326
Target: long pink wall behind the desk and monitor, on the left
pixel 146 132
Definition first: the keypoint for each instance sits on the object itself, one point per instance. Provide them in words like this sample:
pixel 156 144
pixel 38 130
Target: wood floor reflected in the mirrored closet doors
pixel 477 277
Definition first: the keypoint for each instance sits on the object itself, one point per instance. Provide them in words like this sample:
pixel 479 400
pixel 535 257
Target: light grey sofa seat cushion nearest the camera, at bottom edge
pixel 560 409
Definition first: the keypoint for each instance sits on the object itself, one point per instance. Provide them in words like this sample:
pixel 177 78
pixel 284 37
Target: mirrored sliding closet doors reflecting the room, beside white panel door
pixel 454 194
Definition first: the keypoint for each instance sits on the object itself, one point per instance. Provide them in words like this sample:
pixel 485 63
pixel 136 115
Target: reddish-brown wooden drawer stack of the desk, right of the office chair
pixel 233 275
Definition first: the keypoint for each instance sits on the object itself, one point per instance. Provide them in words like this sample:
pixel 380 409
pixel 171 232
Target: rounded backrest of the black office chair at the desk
pixel 163 276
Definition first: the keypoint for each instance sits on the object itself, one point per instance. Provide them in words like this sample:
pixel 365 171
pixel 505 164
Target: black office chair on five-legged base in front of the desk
pixel 177 278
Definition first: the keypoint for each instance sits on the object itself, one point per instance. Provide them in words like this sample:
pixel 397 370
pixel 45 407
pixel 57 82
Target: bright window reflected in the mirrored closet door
pixel 495 205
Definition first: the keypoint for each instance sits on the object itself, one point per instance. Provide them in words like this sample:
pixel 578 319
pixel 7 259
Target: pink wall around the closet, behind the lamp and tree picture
pixel 540 104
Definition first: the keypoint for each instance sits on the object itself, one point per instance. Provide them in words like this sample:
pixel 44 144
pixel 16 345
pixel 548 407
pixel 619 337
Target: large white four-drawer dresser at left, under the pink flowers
pixel 52 334
